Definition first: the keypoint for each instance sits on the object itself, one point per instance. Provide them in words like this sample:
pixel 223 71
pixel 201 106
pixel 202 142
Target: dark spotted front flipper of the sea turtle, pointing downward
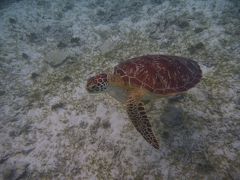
pixel 137 114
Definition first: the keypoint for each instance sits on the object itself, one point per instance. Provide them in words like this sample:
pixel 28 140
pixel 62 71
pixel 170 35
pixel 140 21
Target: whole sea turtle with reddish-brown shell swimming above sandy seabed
pixel 141 79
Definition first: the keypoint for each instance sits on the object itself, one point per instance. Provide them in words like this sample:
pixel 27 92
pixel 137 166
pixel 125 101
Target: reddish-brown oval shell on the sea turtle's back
pixel 160 74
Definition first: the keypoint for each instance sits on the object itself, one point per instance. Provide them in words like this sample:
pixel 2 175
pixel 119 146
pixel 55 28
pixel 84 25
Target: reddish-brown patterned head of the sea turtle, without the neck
pixel 97 83
